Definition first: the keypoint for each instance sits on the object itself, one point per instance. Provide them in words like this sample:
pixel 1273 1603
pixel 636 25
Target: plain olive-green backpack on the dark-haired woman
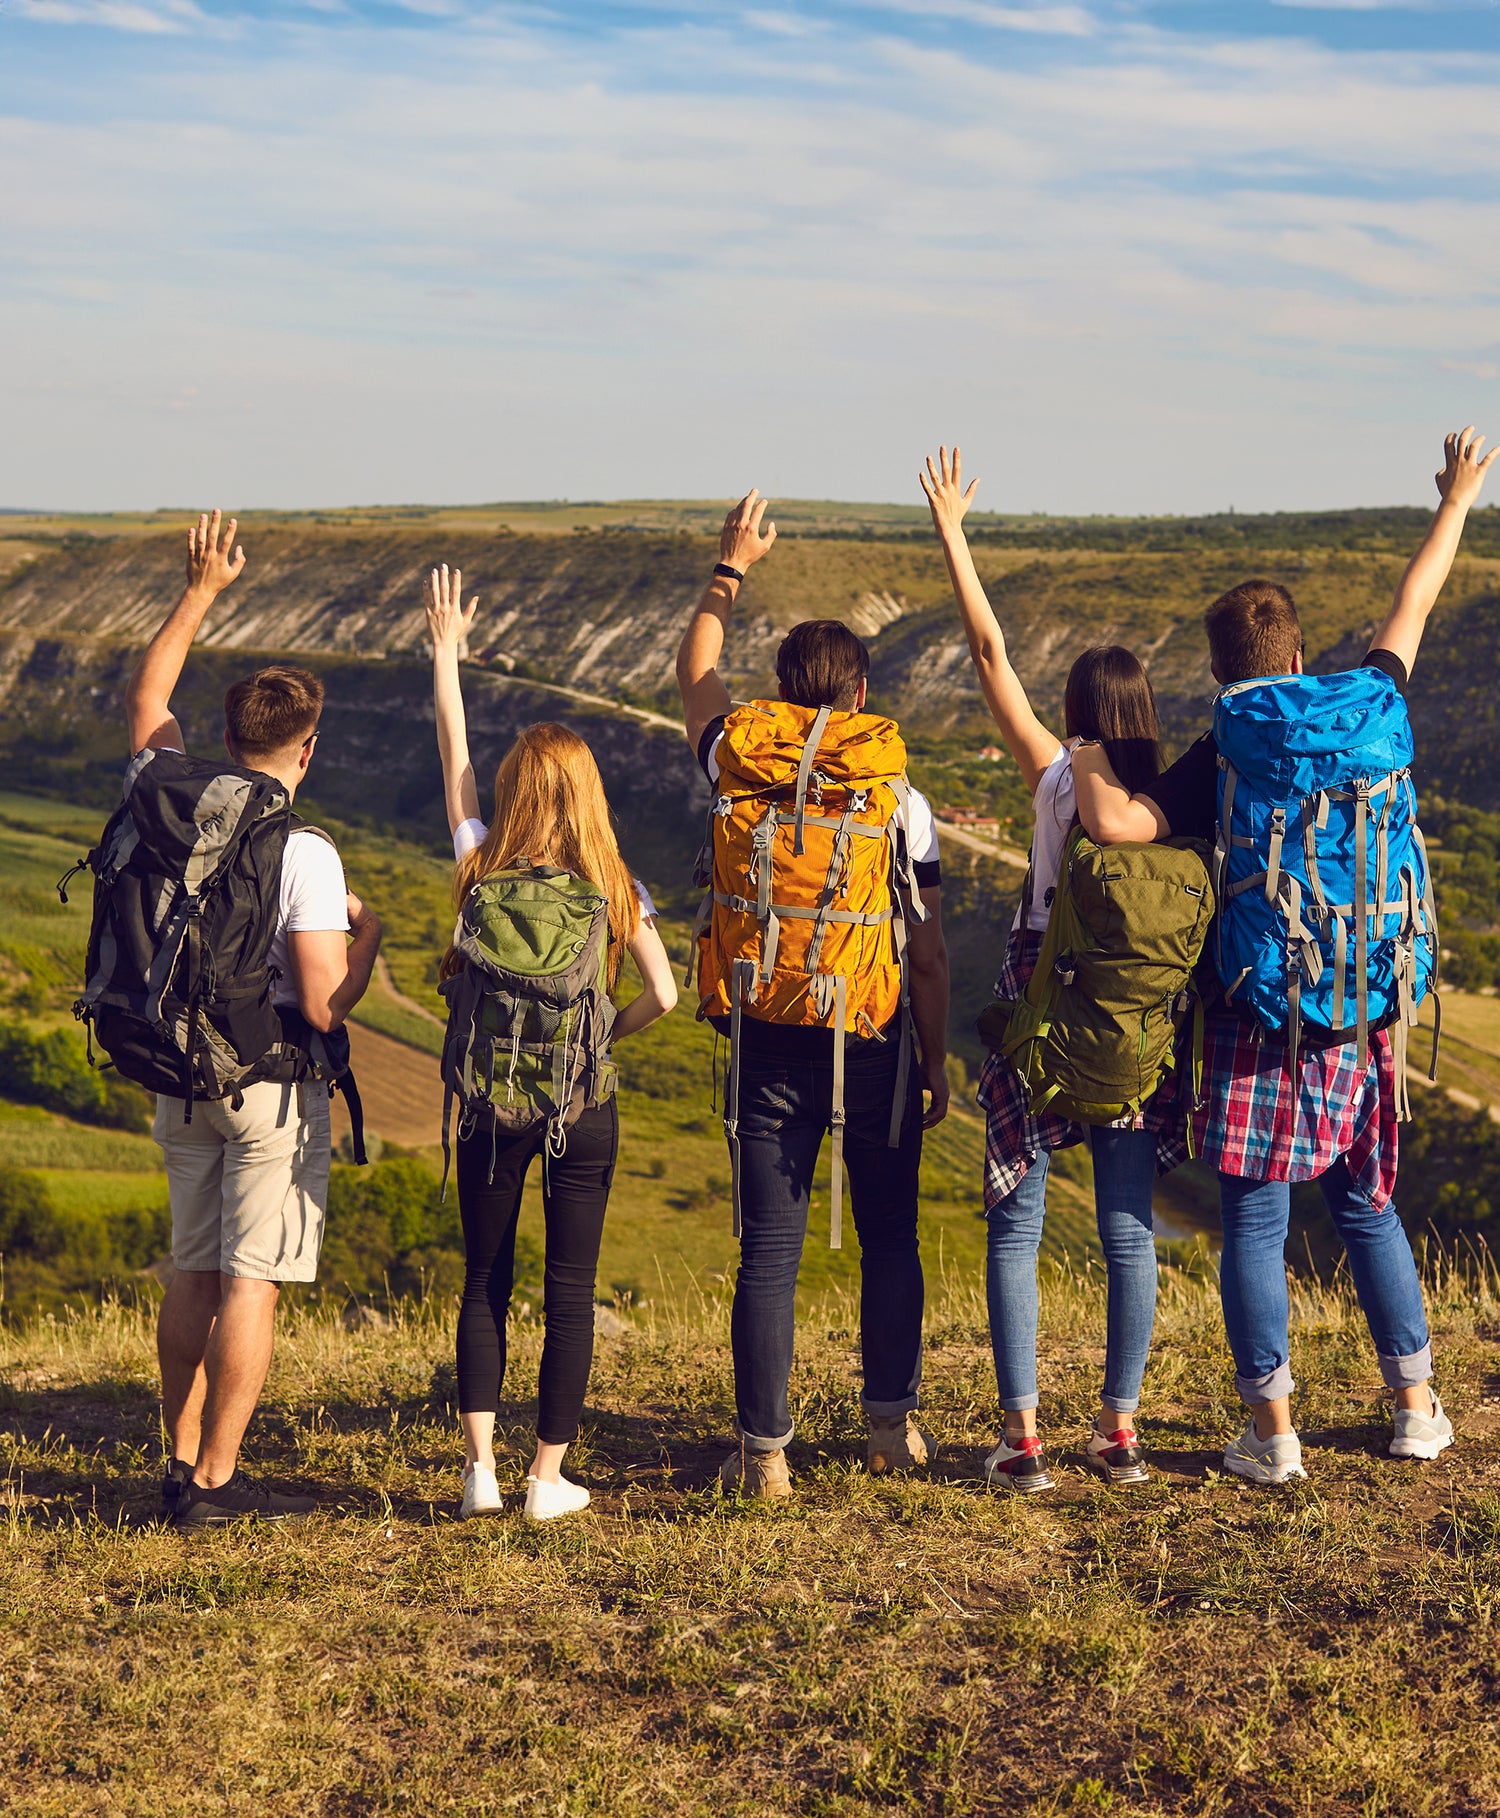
pixel 1097 1026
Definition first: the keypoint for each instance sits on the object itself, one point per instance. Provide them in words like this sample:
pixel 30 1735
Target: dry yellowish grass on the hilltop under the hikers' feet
pixel 915 1646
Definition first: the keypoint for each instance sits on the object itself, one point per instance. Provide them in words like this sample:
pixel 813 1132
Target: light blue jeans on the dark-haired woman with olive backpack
pixel 1125 1175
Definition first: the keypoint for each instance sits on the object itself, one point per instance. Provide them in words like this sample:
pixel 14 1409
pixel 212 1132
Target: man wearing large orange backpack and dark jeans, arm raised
pixel 821 955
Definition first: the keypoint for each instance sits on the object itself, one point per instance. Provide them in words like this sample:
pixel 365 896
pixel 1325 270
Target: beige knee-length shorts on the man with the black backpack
pixel 250 1188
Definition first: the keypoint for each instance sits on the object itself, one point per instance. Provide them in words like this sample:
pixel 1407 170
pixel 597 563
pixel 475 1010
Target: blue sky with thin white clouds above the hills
pixel 1137 257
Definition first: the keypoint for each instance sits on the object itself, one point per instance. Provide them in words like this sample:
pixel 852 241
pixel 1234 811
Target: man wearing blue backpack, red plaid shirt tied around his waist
pixel 1325 948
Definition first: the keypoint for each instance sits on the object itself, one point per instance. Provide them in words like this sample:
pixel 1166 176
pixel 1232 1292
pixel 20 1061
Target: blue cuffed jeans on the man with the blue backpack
pixel 1254 1283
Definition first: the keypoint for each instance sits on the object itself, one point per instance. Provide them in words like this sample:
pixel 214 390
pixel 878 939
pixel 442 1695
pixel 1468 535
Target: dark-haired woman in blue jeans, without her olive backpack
pixel 1110 703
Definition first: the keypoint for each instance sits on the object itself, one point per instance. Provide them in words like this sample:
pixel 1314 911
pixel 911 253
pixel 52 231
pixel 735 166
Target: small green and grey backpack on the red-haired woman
pixel 528 1012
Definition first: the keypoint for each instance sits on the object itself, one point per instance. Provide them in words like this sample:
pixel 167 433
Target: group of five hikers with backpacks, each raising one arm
pixel 1223 957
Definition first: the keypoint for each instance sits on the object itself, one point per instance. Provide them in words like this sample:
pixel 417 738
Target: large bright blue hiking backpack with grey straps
pixel 1326 921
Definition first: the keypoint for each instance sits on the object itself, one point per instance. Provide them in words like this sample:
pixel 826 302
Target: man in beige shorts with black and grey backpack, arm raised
pixel 221 974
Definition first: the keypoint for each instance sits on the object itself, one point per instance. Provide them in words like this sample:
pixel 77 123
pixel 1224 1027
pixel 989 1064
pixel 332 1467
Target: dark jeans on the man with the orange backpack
pixel 785 1117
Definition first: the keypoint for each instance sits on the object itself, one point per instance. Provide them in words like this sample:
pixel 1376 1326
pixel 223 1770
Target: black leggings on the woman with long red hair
pixel 575 1194
